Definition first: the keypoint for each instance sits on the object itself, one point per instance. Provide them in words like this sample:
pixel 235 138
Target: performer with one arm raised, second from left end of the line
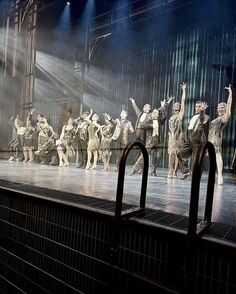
pixel 30 141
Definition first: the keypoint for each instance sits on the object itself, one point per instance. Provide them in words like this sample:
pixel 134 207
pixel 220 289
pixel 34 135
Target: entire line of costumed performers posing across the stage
pixel 85 139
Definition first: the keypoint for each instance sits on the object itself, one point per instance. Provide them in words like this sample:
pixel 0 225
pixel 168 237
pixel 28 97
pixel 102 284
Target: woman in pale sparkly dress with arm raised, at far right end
pixel 215 132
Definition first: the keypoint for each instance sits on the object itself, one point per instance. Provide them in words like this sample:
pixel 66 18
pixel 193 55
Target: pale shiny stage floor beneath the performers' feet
pixel 170 195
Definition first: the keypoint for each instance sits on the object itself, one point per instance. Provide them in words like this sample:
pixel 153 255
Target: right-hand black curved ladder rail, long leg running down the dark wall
pixel 194 229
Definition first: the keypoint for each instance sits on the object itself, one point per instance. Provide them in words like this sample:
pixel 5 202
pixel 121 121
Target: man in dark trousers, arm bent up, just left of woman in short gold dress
pixel 82 138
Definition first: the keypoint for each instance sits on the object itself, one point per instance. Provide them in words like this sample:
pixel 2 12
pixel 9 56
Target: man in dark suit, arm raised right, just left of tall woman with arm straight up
pixel 154 137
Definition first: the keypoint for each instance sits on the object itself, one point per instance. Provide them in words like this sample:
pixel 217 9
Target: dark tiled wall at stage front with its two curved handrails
pixel 55 242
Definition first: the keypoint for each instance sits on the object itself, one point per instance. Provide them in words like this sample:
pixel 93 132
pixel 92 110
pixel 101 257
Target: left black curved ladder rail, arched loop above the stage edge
pixel 121 175
